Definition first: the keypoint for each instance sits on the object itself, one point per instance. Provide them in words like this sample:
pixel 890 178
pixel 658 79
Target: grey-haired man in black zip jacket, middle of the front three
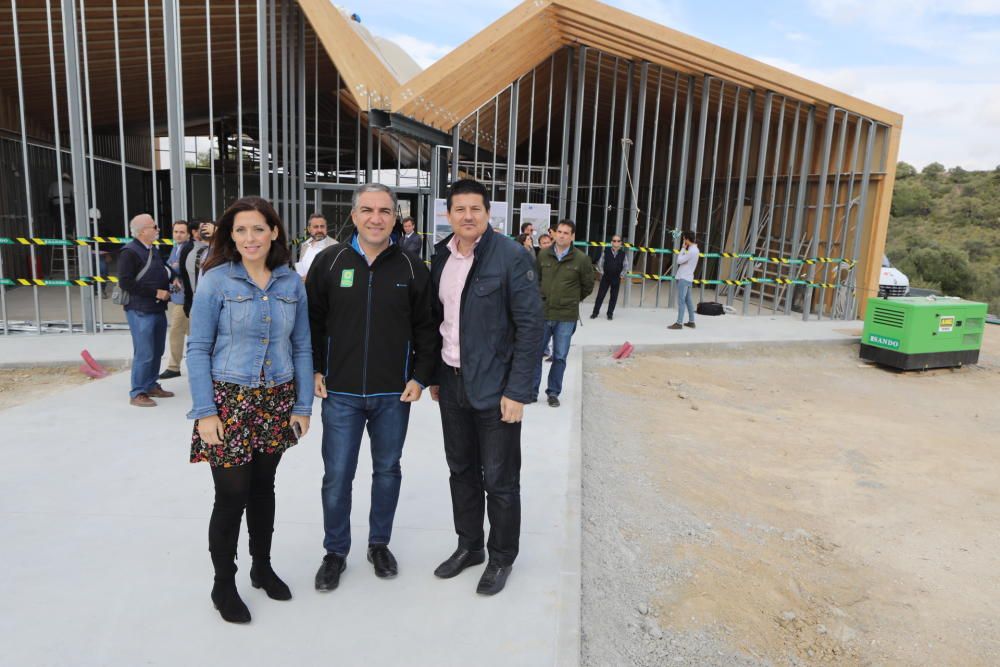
pixel 373 344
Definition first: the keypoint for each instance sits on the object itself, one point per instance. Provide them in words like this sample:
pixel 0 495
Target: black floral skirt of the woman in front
pixel 255 419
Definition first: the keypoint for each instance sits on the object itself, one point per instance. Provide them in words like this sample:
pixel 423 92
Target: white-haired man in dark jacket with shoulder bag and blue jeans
pixel 145 276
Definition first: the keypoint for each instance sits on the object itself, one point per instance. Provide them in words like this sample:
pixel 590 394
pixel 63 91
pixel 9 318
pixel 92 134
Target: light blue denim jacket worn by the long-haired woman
pixel 237 329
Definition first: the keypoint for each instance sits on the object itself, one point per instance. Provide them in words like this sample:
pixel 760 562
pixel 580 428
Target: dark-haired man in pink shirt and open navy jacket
pixel 487 306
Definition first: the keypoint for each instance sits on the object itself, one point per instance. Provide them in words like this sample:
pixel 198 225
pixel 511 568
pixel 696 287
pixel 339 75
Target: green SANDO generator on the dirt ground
pixel 923 332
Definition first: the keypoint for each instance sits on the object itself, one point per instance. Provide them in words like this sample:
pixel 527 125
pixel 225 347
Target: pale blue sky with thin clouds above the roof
pixel 935 61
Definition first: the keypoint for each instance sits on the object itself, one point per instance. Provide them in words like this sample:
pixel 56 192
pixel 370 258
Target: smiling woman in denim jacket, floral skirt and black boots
pixel 250 367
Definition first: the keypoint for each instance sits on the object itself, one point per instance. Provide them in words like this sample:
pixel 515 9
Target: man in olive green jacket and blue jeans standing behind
pixel 566 277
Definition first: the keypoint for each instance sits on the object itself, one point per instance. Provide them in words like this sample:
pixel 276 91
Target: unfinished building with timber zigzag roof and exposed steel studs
pixel 618 123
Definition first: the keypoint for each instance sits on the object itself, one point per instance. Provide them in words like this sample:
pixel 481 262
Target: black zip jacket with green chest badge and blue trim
pixel 372 329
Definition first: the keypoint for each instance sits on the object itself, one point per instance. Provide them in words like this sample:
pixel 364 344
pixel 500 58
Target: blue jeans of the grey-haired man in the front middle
pixel 344 421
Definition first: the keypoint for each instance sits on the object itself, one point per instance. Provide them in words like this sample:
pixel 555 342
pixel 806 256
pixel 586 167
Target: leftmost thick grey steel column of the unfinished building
pixel 77 156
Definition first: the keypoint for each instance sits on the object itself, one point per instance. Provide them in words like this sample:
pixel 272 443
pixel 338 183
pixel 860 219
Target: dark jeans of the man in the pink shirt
pixel 484 459
